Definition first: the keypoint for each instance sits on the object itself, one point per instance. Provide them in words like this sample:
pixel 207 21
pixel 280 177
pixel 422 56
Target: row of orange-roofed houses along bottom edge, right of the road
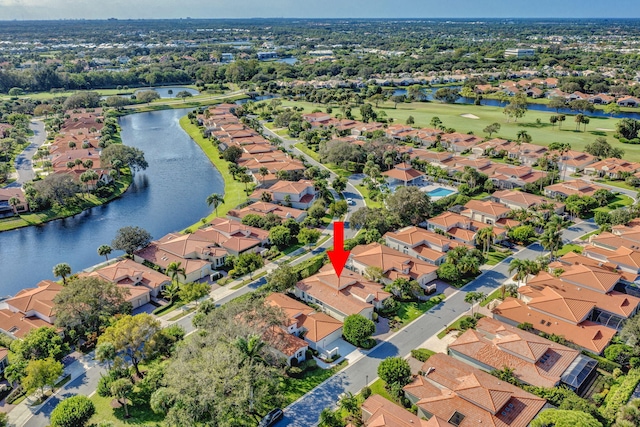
pixel 455 388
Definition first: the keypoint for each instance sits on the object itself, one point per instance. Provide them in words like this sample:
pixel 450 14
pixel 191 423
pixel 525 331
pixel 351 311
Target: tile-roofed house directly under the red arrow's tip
pixel 341 296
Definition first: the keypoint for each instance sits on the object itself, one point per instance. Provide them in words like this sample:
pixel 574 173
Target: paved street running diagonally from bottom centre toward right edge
pixel 305 412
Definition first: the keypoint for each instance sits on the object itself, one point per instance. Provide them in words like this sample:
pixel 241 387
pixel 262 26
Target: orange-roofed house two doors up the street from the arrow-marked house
pixel 422 244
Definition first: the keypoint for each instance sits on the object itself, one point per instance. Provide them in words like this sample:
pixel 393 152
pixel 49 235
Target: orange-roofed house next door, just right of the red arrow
pixel 394 264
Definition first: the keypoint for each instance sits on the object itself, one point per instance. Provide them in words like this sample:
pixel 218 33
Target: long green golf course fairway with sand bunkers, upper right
pixel 542 133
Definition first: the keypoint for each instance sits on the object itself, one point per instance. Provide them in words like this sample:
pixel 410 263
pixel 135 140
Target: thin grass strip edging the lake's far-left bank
pixel 83 202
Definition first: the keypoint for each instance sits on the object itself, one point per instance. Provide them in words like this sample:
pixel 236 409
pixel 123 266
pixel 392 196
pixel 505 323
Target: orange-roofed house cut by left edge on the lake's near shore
pixel 29 309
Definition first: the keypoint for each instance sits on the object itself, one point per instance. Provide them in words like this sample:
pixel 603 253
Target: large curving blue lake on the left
pixel 169 196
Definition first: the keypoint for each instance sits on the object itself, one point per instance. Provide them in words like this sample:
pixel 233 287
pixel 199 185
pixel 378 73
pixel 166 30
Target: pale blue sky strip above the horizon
pixel 153 9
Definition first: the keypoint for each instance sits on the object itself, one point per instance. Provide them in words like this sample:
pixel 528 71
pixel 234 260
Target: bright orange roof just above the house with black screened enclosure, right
pixel 588 335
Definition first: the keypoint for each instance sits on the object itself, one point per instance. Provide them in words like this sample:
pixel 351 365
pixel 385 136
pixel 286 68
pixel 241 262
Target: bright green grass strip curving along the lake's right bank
pixel 233 190
